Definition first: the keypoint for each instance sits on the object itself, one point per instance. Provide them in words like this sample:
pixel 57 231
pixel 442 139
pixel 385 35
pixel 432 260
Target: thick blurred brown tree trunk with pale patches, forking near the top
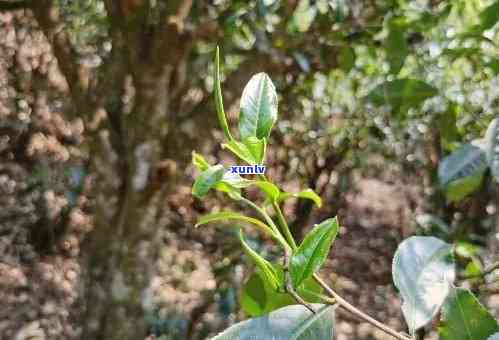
pixel 132 158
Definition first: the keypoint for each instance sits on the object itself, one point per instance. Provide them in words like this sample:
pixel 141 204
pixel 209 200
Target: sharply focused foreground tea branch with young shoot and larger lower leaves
pixel 290 300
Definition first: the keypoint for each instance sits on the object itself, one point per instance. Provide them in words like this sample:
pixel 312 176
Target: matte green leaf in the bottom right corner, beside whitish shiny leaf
pixel 464 318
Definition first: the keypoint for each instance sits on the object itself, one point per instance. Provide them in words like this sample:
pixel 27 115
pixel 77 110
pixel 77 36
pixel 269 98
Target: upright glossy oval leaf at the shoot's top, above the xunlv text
pixel 258 107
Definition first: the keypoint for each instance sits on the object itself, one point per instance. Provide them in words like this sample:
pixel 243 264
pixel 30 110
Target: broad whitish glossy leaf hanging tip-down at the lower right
pixel 423 271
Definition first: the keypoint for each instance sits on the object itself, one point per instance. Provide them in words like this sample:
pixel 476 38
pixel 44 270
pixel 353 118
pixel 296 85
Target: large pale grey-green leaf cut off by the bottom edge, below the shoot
pixel 294 322
